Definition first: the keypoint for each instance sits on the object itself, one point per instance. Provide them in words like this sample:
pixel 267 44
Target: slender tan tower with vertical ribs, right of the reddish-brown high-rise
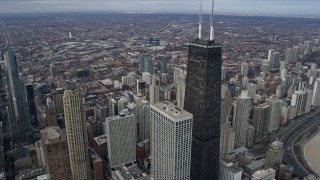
pixel 75 121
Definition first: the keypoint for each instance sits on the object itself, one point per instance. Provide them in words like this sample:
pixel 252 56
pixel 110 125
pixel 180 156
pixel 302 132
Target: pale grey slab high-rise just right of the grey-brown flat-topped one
pixel 275 113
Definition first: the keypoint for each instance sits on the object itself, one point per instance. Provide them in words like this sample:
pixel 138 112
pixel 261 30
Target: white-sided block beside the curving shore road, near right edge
pixel 299 101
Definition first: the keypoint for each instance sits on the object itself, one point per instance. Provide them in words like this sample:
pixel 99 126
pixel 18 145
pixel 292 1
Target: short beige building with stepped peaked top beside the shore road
pixel 274 154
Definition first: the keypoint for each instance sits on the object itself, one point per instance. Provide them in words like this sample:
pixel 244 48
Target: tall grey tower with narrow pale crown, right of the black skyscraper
pixel 241 115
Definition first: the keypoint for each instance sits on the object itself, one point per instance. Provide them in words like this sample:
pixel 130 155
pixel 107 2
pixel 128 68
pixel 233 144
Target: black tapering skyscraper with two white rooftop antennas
pixel 202 99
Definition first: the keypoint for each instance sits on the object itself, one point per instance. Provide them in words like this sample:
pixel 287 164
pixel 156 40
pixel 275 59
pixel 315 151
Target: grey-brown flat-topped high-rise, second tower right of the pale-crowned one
pixel 261 117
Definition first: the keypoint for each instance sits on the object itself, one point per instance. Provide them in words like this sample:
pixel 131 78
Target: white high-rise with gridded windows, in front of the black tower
pixel 171 137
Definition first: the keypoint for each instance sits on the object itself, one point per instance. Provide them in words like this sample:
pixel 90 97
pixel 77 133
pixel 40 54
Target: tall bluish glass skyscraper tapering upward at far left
pixel 17 105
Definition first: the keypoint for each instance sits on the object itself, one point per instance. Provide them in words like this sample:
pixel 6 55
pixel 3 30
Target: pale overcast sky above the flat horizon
pixel 241 7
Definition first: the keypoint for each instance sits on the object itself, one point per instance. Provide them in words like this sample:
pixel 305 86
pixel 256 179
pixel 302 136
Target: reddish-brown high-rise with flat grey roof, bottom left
pixel 55 150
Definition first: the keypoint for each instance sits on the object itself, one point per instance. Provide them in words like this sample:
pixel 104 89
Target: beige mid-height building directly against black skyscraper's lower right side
pixel 227 142
